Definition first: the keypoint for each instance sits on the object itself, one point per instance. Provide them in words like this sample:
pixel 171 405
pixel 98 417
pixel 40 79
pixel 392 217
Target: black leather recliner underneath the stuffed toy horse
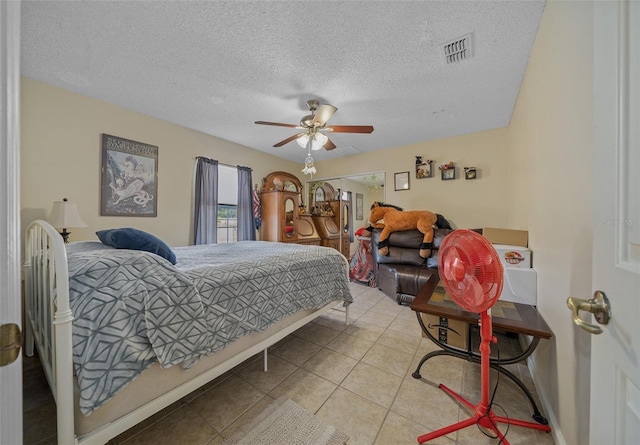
pixel 403 272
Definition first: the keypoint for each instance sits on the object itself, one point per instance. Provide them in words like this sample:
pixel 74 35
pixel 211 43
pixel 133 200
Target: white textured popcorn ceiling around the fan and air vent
pixel 219 66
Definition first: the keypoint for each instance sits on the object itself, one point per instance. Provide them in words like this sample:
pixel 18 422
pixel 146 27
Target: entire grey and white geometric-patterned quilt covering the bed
pixel 133 308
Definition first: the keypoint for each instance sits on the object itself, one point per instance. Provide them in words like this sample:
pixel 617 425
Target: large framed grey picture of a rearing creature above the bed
pixel 129 178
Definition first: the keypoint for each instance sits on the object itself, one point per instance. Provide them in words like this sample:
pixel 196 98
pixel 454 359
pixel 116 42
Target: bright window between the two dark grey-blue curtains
pixel 227 224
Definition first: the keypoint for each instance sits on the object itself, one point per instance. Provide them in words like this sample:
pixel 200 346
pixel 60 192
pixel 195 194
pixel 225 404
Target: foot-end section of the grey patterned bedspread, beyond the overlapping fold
pixel 249 285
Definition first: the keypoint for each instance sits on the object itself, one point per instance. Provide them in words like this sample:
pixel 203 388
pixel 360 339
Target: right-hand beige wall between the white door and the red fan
pixel 550 165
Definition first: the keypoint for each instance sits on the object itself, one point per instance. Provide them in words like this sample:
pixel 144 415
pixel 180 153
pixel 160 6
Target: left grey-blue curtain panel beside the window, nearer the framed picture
pixel 206 202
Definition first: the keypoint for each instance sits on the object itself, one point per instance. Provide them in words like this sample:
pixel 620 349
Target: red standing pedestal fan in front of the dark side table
pixel 471 271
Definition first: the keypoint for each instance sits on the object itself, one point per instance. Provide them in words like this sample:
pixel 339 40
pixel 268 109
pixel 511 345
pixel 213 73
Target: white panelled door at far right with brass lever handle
pixel 615 354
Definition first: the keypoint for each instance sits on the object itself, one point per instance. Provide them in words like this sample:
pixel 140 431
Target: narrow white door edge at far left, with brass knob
pixel 11 374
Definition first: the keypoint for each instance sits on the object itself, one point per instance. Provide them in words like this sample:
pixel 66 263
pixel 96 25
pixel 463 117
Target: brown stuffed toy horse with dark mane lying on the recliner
pixel 396 219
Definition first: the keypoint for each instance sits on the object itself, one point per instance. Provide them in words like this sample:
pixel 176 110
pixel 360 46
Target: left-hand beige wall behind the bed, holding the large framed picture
pixel 60 157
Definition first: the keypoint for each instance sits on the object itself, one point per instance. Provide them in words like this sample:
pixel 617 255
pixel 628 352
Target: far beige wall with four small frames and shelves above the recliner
pixel 465 203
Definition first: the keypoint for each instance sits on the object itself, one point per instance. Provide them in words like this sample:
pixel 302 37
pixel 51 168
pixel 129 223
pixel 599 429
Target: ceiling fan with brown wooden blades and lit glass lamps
pixel 313 125
